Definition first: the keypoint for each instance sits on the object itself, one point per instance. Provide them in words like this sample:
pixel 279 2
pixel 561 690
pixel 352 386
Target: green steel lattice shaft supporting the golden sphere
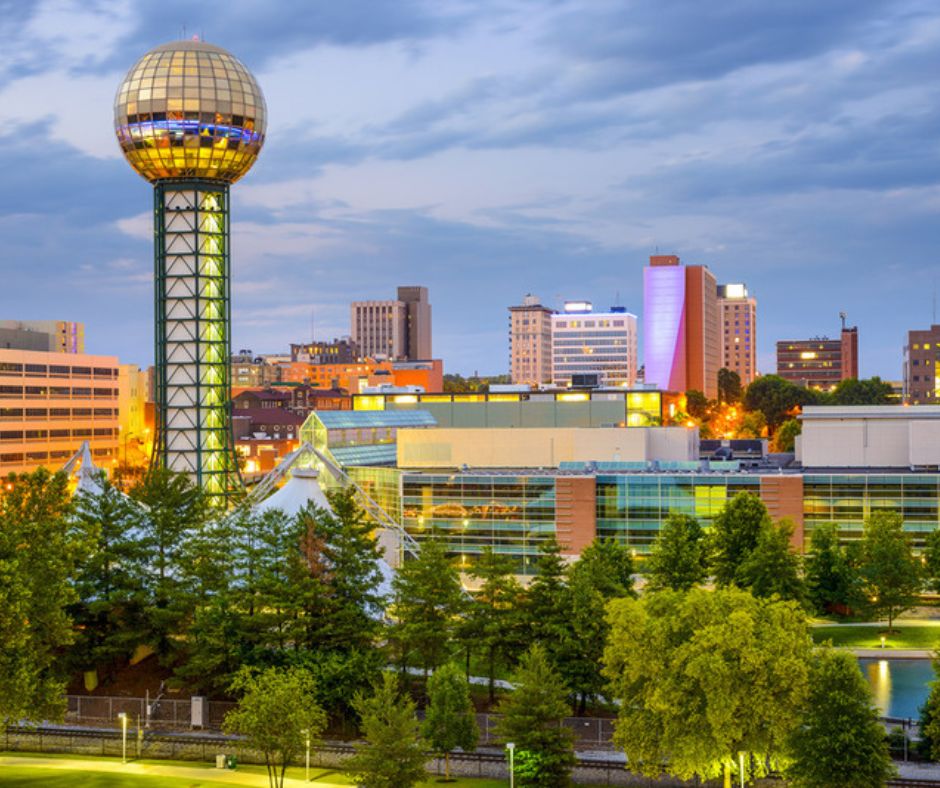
pixel 193 387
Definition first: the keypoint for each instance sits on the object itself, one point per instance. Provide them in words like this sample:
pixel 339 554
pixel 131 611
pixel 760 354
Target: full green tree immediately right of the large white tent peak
pixel 428 599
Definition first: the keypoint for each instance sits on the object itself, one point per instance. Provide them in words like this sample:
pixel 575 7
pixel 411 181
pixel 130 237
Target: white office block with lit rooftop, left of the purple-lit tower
pixel 597 346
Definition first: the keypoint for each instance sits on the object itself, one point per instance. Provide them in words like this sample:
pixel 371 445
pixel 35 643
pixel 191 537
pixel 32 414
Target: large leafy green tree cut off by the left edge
pixel 39 550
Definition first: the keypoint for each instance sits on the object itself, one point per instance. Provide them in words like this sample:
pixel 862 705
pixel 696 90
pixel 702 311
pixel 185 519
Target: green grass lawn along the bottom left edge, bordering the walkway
pixel 26 775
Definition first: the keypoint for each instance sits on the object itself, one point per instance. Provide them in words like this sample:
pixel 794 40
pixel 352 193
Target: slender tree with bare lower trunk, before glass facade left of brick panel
pixel 493 616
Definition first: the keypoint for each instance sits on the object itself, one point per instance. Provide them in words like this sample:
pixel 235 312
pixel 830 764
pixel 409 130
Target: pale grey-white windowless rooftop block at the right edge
pixel 887 436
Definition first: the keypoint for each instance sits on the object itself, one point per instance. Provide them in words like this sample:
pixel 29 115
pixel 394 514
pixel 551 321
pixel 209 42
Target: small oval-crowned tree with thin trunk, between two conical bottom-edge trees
pixel 450 721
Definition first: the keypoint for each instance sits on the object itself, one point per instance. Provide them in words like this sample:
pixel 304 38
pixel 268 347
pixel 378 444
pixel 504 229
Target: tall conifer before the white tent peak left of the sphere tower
pixel 110 611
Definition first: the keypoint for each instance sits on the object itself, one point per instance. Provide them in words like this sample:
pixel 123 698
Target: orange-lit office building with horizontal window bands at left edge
pixel 51 402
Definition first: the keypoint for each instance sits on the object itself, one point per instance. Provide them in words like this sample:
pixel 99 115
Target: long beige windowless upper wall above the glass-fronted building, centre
pixel 542 447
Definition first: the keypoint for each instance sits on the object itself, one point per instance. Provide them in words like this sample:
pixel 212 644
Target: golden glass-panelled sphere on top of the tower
pixel 189 109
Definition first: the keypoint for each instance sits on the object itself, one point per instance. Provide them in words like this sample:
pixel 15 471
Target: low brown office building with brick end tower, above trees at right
pixel 819 363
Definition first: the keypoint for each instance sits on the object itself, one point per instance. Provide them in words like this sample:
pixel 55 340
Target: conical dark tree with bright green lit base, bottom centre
pixel 531 718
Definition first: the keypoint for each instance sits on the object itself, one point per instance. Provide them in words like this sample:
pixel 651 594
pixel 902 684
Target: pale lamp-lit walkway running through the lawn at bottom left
pixel 221 776
